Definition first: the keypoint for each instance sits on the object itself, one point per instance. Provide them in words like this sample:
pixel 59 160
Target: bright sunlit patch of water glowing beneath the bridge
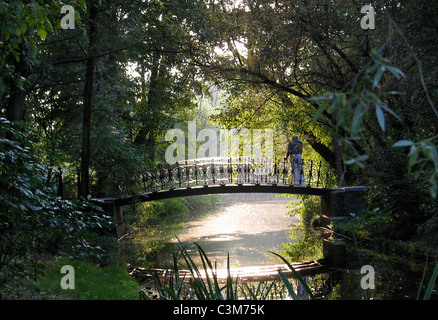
pixel 247 227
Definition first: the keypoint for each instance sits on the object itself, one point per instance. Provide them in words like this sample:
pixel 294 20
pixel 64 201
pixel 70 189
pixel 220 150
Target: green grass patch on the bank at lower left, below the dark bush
pixel 91 282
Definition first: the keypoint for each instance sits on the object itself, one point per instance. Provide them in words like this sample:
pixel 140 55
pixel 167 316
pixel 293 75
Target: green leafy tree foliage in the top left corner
pixel 23 26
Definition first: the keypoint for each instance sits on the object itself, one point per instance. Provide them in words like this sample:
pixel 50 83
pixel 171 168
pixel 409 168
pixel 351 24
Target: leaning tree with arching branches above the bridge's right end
pixel 294 49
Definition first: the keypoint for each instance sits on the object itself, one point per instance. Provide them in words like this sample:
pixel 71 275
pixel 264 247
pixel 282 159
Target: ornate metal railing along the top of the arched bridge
pixel 235 170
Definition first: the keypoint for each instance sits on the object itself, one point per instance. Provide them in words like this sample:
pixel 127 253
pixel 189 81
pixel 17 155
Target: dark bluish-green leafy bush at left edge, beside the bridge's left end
pixel 32 218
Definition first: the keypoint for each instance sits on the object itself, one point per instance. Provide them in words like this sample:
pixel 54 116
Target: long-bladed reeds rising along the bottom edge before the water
pixel 204 284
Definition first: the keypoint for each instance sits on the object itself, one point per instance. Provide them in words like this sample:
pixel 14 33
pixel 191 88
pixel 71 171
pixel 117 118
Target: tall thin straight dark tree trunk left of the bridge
pixel 88 93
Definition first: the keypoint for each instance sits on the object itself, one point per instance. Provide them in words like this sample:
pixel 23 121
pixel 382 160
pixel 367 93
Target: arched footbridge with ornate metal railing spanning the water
pixel 230 175
